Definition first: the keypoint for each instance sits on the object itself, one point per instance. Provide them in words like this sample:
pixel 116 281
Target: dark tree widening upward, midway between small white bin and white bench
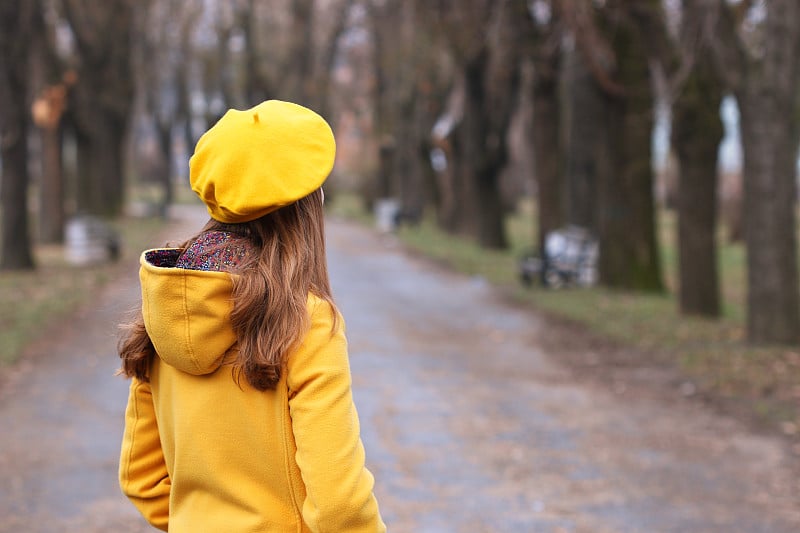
pixel 484 39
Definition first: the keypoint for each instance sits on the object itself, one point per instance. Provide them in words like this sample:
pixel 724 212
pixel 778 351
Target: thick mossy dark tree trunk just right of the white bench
pixel 613 47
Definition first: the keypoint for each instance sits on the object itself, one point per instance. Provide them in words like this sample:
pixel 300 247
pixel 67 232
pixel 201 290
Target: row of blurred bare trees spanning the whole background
pixel 434 89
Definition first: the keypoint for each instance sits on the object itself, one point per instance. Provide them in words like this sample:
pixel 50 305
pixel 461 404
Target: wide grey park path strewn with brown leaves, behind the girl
pixel 470 423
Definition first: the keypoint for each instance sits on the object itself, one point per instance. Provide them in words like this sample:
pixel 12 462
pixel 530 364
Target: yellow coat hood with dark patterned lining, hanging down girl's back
pixel 186 312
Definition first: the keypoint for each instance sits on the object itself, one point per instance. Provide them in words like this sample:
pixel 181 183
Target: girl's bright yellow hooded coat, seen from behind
pixel 203 453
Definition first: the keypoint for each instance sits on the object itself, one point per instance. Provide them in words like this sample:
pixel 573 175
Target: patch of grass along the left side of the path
pixel 29 301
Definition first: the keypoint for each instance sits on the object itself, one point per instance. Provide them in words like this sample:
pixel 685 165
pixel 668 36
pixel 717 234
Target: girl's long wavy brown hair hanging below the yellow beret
pixel 270 291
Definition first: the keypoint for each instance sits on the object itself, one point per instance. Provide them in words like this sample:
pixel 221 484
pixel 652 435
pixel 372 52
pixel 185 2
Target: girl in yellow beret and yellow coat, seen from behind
pixel 240 416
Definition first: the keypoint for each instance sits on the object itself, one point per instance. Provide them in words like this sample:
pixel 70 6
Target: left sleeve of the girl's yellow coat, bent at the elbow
pixel 143 475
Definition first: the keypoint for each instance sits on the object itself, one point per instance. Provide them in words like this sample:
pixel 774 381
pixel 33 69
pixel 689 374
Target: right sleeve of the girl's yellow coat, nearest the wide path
pixel 339 488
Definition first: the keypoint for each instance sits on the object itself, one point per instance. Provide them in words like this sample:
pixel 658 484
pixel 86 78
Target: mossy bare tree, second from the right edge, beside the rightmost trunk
pixel 688 85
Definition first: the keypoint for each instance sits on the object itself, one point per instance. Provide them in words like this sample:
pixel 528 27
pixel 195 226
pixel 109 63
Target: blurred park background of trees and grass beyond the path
pixel 633 163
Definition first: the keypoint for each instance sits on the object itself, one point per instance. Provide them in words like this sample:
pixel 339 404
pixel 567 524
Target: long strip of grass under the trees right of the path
pixel 760 383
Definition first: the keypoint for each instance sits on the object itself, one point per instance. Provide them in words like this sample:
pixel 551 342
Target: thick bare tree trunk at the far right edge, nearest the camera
pixel 762 68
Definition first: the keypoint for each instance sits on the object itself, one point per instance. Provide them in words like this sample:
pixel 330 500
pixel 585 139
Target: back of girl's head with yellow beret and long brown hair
pixel 262 168
